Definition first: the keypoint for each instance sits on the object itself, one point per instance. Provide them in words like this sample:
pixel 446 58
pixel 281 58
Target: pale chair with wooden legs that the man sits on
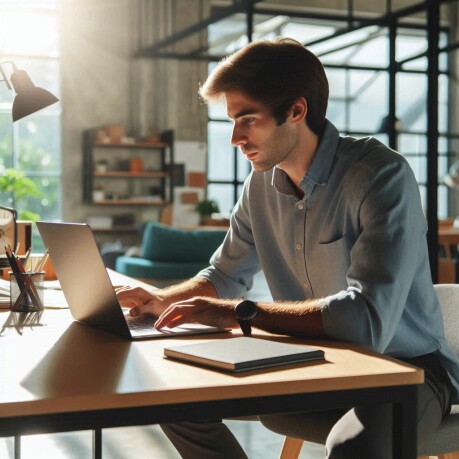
pixel 444 444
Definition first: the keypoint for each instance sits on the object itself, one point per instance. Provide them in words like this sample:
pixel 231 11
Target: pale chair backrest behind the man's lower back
pixel 448 294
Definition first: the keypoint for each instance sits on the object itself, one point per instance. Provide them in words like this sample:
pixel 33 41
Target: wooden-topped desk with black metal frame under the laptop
pixel 58 375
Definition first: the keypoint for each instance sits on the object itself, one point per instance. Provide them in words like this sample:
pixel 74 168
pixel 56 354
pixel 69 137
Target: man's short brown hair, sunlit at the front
pixel 275 73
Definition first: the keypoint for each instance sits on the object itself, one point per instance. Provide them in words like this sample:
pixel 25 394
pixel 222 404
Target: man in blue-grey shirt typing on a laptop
pixel 337 226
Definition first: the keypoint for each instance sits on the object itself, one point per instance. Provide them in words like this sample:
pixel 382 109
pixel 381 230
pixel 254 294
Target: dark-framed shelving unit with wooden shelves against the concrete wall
pixel 123 185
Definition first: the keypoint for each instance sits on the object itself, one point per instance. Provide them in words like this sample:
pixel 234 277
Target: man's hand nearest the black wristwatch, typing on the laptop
pixel 204 310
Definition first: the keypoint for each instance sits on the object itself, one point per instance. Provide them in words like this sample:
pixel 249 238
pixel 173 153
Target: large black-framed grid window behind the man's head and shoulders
pixel 356 66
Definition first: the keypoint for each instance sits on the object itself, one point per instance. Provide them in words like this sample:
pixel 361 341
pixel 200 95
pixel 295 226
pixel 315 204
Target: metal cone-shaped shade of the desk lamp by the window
pixel 29 98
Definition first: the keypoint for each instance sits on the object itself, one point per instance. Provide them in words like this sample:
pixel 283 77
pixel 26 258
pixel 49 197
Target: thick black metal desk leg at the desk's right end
pixel 404 424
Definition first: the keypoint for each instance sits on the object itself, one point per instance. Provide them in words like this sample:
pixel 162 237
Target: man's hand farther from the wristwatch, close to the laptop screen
pixel 140 301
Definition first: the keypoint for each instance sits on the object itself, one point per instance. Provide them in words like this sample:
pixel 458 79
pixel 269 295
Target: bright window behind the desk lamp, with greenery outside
pixel 31 146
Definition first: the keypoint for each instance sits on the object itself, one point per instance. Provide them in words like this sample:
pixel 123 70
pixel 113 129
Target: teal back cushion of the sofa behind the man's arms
pixel 168 244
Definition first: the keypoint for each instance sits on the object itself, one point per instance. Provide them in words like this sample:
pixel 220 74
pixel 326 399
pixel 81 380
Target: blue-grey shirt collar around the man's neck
pixel 320 168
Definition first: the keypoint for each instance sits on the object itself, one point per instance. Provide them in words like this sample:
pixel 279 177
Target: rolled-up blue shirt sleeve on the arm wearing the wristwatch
pixel 390 250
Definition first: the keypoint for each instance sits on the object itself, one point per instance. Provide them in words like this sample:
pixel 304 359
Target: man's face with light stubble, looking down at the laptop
pixel 255 132
